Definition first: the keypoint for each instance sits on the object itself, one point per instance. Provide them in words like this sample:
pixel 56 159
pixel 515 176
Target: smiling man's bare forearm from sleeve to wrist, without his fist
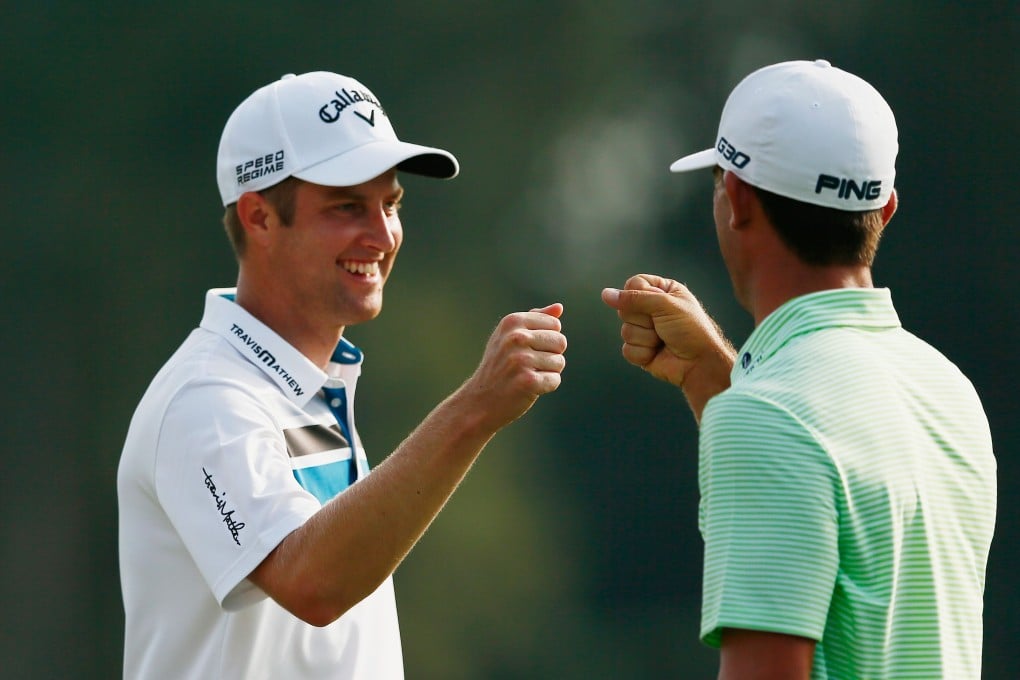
pixel 341 555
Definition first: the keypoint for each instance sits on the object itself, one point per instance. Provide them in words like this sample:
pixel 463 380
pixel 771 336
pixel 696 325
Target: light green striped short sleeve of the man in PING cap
pixel 769 519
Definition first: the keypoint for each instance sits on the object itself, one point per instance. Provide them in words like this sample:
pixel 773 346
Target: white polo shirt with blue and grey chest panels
pixel 233 447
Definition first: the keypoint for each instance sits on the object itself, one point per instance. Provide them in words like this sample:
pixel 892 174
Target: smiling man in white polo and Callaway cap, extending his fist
pixel 254 542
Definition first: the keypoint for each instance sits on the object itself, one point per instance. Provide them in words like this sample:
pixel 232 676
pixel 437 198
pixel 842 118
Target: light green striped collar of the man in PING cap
pixel 859 308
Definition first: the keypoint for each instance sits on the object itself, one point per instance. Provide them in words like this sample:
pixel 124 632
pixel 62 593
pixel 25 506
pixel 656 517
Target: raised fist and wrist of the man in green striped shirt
pixel 668 333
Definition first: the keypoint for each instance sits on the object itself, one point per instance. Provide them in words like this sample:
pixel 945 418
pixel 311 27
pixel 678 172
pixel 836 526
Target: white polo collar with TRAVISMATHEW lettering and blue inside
pixel 290 371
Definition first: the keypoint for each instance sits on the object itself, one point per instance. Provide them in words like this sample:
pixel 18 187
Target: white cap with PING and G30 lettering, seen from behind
pixel 810 132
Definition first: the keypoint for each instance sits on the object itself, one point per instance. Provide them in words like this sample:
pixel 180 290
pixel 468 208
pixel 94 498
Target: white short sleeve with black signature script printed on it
pixel 224 479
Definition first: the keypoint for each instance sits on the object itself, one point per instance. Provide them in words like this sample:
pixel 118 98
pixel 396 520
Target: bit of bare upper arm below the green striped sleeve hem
pixel 752 655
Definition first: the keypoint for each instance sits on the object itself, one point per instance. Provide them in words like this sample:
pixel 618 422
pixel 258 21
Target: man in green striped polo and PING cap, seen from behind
pixel 846 467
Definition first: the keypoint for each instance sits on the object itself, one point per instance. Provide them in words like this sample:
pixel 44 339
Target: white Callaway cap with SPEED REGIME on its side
pixel 322 128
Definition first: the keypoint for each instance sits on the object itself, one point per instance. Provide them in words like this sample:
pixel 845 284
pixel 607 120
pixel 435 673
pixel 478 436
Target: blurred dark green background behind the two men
pixel 573 550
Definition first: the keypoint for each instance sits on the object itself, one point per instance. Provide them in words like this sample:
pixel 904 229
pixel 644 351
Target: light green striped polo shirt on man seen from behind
pixel 848 494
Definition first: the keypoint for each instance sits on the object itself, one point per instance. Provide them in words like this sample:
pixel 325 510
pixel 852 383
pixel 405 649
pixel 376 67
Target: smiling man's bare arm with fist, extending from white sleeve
pixel 343 553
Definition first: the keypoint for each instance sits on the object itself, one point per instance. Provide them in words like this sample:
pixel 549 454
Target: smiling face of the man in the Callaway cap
pixel 332 261
